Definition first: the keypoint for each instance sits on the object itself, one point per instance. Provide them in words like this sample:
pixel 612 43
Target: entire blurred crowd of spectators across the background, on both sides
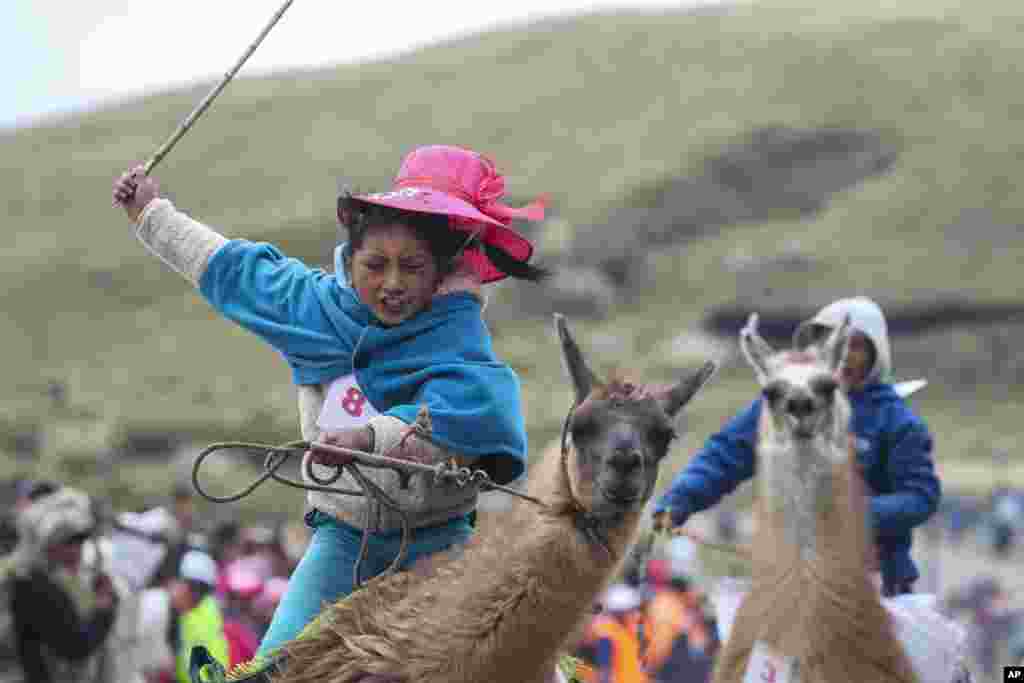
pixel 92 595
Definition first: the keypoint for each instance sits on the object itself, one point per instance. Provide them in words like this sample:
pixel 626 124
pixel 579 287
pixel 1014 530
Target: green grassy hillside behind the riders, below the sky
pixel 588 110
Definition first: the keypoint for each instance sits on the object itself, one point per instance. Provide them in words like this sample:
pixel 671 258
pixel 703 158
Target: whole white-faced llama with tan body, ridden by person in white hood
pixel 813 608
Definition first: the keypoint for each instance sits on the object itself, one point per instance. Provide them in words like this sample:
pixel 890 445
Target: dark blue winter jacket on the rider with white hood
pixel 894 451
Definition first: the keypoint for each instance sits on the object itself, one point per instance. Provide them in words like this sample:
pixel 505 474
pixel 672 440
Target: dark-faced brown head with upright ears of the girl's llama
pixel 621 432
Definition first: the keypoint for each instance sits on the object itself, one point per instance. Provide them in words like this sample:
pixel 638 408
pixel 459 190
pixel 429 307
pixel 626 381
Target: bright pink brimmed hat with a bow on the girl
pixel 463 185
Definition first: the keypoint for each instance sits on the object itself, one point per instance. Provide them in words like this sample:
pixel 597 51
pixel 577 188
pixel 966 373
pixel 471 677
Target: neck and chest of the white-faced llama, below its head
pixel 813 599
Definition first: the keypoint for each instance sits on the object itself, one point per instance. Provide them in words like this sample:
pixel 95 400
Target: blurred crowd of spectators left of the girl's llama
pixel 95 596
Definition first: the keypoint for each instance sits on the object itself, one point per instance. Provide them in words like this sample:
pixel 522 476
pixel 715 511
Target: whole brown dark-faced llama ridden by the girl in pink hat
pixel 502 610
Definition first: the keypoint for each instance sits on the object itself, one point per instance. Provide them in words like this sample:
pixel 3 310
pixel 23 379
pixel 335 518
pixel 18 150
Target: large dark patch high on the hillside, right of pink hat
pixel 776 174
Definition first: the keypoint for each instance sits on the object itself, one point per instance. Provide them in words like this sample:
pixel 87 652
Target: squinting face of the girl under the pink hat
pixel 395 273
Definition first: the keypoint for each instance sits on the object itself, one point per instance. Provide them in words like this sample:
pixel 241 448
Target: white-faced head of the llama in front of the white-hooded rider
pixel 801 391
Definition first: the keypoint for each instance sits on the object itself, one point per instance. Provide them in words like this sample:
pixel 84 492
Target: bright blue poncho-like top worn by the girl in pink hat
pixel 442 358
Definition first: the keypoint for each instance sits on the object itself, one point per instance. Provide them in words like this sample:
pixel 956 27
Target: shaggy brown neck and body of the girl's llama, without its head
pixel 486 616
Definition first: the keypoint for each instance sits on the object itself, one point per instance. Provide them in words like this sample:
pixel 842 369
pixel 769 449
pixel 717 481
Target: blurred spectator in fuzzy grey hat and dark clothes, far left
pixel 62 616
